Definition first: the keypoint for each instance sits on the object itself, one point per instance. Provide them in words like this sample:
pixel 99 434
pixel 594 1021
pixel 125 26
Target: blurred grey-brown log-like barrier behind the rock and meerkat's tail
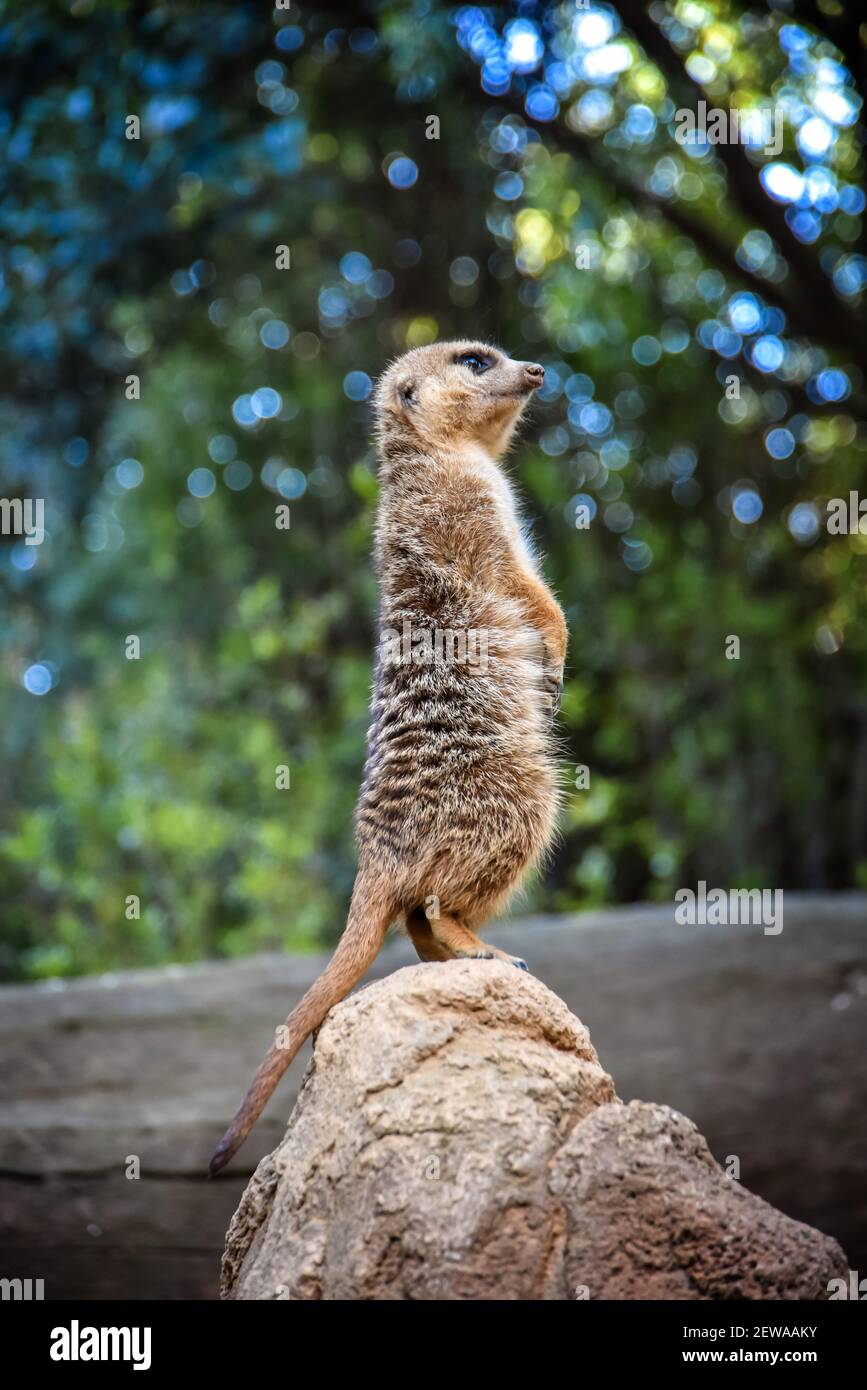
pixel 154 1064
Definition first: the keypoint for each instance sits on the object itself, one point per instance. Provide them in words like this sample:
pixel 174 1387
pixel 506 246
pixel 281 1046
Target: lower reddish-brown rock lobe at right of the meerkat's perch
pixel 650 1214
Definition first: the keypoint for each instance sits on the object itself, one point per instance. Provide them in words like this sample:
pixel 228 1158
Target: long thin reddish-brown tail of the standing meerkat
pixel 358 949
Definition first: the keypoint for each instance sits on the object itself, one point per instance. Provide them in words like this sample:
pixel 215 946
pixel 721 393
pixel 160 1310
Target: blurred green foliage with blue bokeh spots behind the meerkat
pixel 511 173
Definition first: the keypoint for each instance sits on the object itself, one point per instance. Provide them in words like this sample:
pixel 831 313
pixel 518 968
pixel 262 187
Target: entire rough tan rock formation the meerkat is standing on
pixel 456 1139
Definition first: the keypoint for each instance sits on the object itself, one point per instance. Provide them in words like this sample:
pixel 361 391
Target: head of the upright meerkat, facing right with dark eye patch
pixel 455 395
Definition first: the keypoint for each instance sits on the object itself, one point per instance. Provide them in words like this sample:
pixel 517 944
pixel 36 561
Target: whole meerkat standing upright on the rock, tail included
pixel 461 789
